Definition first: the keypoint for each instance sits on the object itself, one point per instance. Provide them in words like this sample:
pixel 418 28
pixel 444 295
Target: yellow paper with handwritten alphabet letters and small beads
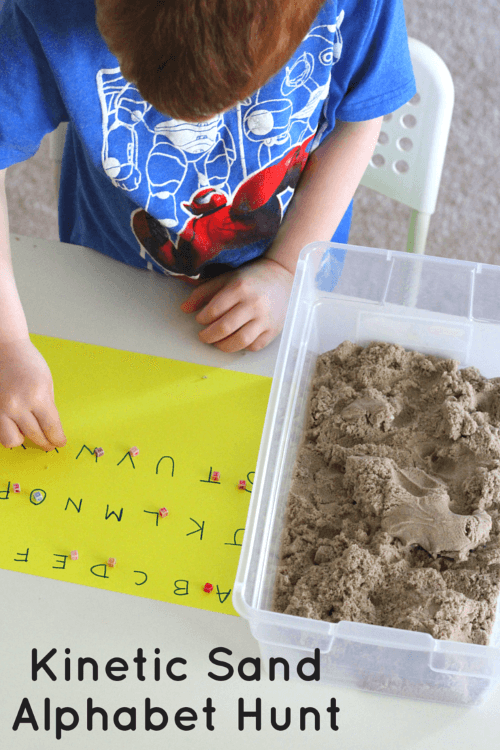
pixel 188 422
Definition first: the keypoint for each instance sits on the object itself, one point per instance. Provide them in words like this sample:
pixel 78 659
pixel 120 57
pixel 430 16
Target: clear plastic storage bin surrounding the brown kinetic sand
pixel 433 305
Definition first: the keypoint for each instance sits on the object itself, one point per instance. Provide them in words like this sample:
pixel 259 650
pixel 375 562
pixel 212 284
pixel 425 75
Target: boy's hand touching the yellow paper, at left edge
pixel 27 406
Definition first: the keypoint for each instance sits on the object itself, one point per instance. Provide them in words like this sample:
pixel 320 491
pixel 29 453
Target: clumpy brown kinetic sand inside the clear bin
pixel 393 514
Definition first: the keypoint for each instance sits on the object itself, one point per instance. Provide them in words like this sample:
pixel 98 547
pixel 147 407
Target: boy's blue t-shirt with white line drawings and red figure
pixel 187 198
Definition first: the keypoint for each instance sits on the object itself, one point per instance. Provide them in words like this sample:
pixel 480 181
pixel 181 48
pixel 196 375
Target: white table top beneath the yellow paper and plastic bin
pixel 76 293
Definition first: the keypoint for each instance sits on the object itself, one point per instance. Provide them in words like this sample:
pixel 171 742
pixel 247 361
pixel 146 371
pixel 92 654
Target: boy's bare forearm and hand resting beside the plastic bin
pixel 246 308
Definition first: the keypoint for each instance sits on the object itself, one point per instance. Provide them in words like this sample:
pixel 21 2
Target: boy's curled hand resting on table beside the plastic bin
pixel 244 308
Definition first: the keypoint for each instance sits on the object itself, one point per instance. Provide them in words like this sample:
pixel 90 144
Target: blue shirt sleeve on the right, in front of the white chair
pixel 375 67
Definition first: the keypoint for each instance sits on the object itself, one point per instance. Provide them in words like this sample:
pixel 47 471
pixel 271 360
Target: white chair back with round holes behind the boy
pixel 408 159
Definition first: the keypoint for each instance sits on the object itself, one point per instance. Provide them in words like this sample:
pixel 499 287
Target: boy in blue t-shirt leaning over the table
pixel 191 126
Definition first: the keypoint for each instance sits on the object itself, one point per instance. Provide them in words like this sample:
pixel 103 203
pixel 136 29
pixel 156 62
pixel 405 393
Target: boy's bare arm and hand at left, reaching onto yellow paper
pixel 26 392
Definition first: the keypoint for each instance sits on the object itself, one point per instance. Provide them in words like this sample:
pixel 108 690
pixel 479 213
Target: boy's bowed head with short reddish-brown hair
pixel 192 59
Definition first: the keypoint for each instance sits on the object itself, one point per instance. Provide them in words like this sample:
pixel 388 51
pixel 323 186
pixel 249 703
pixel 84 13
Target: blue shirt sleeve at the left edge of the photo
pixel 30 101
